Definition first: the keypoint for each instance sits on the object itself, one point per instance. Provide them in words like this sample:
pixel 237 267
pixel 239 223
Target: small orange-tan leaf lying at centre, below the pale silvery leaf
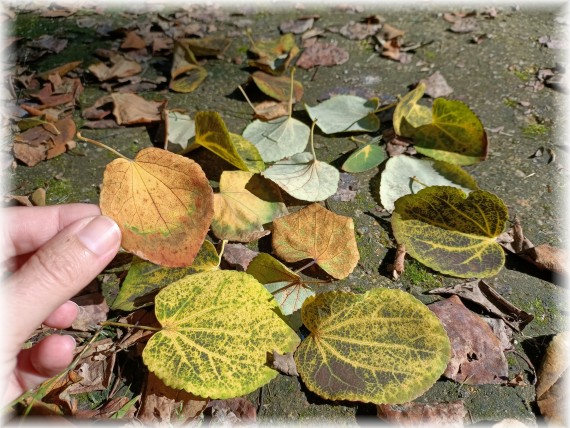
pixel 318 234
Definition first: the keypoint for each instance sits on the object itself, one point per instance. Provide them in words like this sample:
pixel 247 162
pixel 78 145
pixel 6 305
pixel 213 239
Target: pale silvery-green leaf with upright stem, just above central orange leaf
pixel 304 178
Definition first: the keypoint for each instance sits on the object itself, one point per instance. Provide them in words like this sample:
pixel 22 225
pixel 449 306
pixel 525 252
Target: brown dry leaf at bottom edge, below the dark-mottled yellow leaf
pixel 450 414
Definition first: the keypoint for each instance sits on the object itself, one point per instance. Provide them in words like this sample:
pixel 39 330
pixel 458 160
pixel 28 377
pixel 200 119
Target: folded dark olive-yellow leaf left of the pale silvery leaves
pixel 211 133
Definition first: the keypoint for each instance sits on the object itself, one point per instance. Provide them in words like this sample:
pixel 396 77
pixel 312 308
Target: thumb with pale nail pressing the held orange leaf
pixel 59 270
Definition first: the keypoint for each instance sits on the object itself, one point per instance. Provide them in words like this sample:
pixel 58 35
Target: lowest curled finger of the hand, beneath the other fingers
pixel 47 358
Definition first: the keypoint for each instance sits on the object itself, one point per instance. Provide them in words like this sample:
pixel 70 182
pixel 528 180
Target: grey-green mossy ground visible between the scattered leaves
pixel 492 78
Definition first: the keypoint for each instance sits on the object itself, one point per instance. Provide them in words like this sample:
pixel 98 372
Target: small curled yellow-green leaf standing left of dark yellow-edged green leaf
pixel 414 113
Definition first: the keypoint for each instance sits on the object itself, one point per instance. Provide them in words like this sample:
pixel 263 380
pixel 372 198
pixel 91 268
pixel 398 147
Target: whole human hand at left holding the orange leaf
pixel 53 252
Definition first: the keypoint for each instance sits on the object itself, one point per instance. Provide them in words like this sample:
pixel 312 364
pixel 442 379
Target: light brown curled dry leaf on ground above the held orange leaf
pixel 130 109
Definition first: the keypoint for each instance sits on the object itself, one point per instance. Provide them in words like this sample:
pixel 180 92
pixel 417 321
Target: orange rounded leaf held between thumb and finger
pixel 163 204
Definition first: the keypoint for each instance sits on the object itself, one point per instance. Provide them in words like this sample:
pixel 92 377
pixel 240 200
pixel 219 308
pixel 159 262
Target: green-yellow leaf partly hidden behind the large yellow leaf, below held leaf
pixel 144 278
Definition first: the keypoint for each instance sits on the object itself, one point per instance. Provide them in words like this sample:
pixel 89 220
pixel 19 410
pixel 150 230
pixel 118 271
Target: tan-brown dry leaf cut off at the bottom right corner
pixel 551 394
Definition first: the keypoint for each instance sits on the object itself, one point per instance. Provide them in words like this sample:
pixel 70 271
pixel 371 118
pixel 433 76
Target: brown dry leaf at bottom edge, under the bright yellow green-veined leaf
pixel 164 405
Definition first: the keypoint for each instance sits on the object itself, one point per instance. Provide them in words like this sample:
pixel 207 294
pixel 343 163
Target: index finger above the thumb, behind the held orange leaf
pixel 25 229
